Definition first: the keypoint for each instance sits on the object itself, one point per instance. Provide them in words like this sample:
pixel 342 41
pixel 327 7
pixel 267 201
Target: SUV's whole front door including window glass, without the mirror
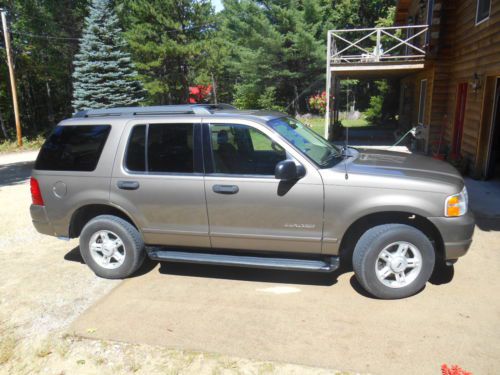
pixel 248 208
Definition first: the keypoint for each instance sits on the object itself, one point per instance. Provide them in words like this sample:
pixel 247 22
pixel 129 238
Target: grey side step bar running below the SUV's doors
pixel 330 264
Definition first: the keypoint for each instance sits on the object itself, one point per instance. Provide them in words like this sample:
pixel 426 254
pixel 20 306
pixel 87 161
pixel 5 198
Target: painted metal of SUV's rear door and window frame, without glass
pixel 168 207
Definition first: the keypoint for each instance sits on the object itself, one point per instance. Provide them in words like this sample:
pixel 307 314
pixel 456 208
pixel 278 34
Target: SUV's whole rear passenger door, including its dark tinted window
pixel 158 180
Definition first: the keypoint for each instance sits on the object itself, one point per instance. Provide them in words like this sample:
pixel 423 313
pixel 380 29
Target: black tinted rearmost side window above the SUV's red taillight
pixel 73 148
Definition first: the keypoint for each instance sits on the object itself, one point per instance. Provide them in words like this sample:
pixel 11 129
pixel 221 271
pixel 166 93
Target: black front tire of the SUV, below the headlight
pixel 366 259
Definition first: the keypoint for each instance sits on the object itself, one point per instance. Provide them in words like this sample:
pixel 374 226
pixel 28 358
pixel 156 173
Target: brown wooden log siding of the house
pixel 462 49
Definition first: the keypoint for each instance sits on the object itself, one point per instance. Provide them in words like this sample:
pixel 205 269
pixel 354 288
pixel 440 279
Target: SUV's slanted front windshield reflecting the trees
pixel 315 147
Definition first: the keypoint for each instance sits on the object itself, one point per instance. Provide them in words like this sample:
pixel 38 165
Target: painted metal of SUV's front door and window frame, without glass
pixel 266 214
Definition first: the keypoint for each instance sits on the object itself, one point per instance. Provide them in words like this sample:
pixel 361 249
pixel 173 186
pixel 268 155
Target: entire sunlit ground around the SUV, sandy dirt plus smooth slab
pixel 56 317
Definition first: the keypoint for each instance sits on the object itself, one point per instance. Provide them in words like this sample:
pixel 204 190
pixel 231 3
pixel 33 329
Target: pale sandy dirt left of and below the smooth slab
pixel 44 287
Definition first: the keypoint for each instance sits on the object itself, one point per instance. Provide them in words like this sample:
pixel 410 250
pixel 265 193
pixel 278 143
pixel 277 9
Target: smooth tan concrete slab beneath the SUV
pixel 314 319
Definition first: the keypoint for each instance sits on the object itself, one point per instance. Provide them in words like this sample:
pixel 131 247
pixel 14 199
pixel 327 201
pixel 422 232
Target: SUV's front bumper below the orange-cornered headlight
pixel 456 233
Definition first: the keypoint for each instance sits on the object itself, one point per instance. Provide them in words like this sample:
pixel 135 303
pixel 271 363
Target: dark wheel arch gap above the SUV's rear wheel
pixel 85 213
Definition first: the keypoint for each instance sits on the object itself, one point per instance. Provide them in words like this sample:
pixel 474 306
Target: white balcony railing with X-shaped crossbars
pixel 377 44
